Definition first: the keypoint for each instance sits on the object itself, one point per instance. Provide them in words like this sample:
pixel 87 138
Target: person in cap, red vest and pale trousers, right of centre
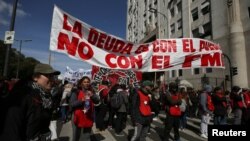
pixel 206 109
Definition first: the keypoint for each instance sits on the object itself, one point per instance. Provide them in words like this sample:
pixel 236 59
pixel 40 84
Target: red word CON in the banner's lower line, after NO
pixel 123 62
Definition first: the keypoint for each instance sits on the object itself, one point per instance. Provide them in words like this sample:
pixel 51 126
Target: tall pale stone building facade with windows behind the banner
pixel 226 22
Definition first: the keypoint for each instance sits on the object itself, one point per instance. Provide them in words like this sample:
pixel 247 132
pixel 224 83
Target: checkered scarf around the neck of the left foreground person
pixel 46 97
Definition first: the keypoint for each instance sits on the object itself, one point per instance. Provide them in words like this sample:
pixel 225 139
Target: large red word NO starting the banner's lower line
pixel 84 50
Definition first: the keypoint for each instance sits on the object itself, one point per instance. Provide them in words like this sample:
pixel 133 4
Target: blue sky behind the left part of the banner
pixel 34 19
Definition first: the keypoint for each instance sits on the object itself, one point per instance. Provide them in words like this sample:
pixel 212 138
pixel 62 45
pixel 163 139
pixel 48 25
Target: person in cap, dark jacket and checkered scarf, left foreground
pixel 29 107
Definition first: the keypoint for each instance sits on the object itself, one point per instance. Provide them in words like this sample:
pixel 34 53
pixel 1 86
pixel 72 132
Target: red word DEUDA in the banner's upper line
pixel 108 43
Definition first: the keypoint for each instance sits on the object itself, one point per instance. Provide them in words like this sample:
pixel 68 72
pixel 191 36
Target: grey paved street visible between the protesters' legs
pixel 156 133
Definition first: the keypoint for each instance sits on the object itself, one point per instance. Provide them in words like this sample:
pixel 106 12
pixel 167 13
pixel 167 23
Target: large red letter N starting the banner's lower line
pixel 63 41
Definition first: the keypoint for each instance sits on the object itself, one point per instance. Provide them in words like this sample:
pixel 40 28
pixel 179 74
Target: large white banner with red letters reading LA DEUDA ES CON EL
pixel 81 41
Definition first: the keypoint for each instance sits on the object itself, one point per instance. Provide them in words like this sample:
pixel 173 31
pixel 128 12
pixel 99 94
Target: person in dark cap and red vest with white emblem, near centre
pixel 141 112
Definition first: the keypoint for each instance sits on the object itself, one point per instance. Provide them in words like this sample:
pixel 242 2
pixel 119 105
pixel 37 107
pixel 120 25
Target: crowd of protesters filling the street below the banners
pixel 31 108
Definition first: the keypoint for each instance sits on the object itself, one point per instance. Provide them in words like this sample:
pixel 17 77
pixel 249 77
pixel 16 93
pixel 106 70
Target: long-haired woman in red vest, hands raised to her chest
pixel 82 102
